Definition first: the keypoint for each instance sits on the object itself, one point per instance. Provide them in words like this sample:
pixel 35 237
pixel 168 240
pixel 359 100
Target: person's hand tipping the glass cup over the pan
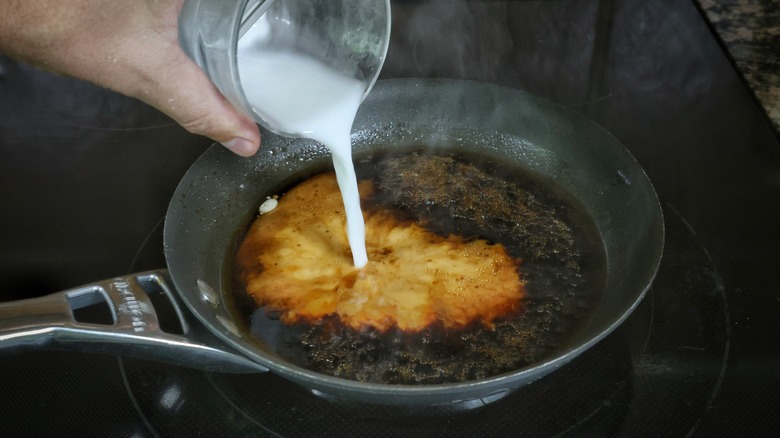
pixel 131 47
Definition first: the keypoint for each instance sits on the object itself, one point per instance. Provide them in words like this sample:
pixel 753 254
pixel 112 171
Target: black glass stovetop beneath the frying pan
pixel 86 175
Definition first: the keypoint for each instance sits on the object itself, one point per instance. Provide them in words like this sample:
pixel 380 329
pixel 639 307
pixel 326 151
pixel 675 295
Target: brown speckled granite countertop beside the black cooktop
pixel 750 32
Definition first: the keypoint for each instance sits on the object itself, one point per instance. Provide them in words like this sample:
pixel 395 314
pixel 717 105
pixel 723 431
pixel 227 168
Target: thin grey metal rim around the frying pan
pixel 524 375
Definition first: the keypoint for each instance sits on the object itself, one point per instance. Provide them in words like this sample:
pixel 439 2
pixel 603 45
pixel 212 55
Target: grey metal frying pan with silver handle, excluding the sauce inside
pixel 182 315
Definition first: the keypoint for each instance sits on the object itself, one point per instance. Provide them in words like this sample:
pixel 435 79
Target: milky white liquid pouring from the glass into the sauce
pixel 299 95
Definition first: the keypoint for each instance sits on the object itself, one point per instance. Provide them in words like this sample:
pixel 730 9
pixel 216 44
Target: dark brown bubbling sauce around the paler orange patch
pixel 563 263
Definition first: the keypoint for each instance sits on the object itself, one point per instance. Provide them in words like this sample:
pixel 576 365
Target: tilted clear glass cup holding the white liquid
pixel 347 36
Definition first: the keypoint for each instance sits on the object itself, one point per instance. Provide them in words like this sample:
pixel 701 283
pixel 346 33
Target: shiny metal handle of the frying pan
pixel 138 315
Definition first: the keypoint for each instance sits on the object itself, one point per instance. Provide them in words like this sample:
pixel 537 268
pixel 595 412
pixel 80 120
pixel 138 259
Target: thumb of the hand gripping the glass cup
pixel 185 93
